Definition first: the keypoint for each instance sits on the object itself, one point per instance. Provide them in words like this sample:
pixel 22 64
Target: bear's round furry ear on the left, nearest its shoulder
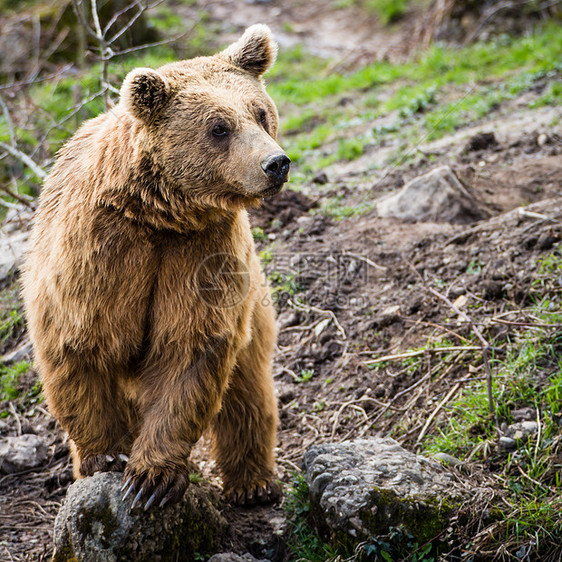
pixel 144 92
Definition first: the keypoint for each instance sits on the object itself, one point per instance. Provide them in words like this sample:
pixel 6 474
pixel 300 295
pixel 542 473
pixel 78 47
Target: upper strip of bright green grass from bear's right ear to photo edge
pixel 439 65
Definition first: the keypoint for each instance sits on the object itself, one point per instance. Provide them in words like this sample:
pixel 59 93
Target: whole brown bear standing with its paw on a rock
pixel 149 314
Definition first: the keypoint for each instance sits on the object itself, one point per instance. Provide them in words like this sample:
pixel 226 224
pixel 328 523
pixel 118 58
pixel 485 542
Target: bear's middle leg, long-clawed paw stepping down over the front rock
pixel 178 408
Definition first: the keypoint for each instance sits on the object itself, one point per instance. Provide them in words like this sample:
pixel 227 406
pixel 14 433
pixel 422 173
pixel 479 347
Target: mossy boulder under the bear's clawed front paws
pixel 95 525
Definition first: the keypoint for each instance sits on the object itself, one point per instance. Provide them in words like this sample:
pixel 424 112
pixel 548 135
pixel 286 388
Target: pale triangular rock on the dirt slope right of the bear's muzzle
pixel 437 196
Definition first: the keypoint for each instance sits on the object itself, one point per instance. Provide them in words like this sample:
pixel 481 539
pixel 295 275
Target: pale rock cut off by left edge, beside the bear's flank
pixel 14 233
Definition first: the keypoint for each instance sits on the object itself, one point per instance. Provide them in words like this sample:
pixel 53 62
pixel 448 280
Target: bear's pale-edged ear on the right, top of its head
pixel 254 52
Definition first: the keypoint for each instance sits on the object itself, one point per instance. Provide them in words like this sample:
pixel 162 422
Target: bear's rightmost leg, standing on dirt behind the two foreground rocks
pixel 245 428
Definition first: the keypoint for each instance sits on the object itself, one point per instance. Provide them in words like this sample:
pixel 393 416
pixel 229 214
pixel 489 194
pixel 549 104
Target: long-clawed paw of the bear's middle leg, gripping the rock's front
pixel 157 485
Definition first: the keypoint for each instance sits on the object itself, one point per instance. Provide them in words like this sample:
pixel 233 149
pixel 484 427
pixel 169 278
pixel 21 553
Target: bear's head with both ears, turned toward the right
pixel 209 125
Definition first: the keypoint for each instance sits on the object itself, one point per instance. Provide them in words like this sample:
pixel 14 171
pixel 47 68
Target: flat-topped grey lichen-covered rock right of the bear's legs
pixel 362 488
